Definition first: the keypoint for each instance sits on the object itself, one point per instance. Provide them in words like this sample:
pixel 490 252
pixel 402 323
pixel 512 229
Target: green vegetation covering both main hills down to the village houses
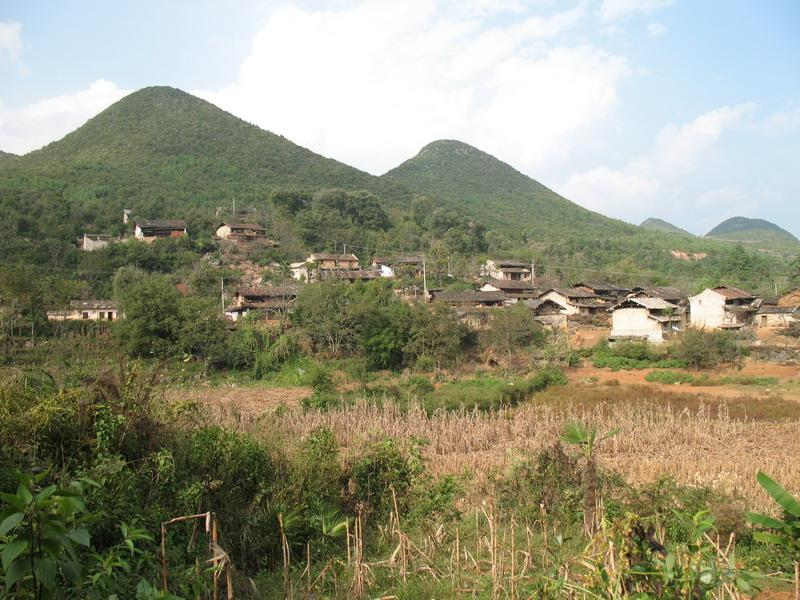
pixel 164 153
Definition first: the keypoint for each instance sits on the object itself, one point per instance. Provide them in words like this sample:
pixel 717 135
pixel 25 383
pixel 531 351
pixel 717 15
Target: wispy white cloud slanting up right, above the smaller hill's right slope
pixel 644 185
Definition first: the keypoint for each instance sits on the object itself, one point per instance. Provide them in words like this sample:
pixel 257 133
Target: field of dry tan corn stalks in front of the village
pixel 702 445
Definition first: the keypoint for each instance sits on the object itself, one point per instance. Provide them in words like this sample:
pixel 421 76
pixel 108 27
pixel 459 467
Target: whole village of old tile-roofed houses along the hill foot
pixel 652 314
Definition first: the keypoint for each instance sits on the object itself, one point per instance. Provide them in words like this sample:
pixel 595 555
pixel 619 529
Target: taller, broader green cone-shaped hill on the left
pixel 159 149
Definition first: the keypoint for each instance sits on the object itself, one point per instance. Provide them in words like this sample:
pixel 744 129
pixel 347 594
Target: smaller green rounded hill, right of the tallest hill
pixel 462 178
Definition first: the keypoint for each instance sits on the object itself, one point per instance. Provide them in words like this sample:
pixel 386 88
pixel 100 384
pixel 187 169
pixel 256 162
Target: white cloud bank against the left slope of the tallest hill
pixel 30 127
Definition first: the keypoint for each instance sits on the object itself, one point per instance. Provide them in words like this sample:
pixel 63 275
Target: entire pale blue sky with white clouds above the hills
pixel 683 110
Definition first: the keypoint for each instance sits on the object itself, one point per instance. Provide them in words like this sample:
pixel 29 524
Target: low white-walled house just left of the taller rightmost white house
pixel 646 319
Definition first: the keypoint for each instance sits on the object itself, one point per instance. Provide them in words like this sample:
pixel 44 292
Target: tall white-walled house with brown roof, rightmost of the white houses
pixel 722 307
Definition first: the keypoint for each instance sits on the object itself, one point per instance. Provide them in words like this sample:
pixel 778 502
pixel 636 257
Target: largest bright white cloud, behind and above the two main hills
pixel 371 83
